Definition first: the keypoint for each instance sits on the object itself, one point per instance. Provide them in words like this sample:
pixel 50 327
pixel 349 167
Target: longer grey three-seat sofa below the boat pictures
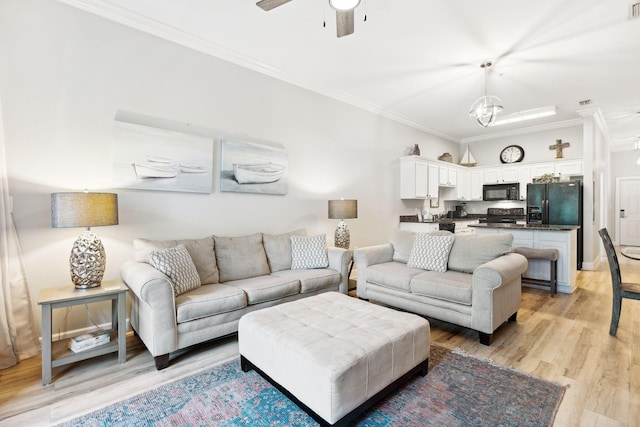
pixel 180 298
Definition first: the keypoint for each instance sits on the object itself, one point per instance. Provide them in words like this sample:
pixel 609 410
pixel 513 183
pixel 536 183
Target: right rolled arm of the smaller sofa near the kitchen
pixel 496 292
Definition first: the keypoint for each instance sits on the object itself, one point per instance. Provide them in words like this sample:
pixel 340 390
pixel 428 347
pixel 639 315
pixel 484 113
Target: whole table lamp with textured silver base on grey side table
pixel 88 258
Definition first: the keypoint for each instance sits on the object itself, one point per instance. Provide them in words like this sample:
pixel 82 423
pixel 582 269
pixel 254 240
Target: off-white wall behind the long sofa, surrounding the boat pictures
pixel 64 75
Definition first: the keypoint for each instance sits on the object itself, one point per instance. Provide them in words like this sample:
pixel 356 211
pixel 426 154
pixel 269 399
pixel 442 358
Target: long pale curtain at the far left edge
pixel 18 335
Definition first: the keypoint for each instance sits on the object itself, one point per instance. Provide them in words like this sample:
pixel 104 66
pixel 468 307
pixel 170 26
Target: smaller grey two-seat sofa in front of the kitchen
pixel 478 285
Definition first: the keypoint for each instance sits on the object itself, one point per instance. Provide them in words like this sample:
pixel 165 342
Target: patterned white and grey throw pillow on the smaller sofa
pixel 431 252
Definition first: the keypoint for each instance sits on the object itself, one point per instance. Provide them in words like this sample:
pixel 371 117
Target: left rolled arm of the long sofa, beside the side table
pixel 153 312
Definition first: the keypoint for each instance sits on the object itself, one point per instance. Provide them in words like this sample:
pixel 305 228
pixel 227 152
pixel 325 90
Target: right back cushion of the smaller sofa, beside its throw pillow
pixel 470 251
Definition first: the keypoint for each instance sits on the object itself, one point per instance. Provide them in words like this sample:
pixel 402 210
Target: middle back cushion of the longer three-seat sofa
pixel 240 257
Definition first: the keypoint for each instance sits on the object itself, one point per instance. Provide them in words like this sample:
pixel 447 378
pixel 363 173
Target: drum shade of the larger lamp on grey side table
pixel 83 209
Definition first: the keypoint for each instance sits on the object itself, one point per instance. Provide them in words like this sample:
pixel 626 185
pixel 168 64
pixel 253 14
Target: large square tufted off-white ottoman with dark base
pixel 334 355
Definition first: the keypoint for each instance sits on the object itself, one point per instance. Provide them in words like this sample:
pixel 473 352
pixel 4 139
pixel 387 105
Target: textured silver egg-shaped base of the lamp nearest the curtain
pixel 87 261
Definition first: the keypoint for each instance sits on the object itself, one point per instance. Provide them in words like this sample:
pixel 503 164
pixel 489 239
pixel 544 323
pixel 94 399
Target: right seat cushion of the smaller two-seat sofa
pixel 448 286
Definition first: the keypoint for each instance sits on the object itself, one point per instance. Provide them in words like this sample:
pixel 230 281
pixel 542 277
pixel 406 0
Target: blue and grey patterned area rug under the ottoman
pixel 459 390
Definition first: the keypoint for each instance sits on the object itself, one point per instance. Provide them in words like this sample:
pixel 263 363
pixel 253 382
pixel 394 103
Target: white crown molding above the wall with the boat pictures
pixel 159 29
